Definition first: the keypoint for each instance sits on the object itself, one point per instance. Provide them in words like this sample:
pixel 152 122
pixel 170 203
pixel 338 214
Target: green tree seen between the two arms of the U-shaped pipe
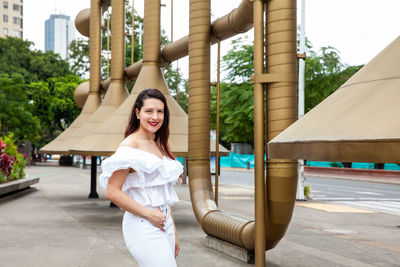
pixel 236 95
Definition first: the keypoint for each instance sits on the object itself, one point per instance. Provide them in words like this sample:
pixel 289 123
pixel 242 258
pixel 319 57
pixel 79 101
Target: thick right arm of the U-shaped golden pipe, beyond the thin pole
pixel 281 112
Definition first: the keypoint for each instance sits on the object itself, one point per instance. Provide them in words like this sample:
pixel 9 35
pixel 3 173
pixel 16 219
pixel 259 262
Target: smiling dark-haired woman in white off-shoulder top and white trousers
pixel 139 179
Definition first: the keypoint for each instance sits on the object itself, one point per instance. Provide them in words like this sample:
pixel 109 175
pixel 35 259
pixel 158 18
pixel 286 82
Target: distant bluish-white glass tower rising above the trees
pixel 59 33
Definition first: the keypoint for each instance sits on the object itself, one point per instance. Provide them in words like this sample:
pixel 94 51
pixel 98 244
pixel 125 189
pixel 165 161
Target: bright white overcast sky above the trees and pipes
pixel 359 29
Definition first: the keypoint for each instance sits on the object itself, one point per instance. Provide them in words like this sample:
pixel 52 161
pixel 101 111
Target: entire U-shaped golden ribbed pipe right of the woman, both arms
pixel 282 174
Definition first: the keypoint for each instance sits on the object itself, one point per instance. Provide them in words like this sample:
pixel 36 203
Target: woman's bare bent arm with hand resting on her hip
pixel 122 200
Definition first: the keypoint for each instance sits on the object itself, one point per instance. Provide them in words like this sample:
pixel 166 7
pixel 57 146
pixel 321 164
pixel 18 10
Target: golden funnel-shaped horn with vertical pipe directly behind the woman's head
pixel 150 76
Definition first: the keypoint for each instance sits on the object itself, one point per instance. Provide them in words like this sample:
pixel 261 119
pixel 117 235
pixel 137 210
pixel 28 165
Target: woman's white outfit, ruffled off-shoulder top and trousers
pixel 151 185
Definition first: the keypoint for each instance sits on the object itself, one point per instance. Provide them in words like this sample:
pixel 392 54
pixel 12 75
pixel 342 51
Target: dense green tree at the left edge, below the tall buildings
pixel 36 92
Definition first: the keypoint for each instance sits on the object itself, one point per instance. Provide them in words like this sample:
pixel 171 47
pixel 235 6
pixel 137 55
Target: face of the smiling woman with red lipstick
pixel 151 115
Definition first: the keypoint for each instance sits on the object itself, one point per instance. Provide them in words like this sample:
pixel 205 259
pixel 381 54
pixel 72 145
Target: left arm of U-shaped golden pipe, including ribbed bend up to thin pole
pixel 213 221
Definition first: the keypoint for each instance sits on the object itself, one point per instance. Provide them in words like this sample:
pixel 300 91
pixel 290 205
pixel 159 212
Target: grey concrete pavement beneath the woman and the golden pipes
pixel 55 224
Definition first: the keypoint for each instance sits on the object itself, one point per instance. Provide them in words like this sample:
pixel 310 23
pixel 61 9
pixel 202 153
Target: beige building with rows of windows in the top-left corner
pixel 11 18
